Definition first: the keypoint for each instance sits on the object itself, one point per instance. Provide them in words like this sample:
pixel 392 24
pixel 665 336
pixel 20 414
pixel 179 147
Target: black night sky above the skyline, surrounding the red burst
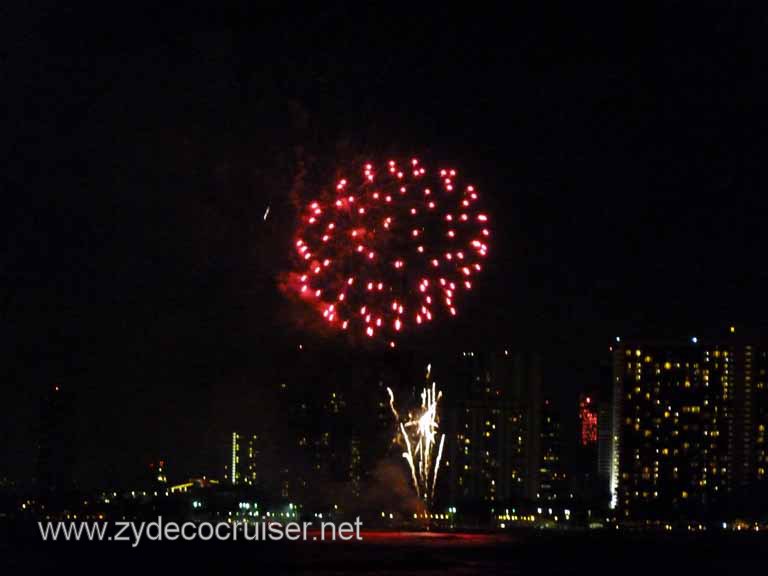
pixel 623 153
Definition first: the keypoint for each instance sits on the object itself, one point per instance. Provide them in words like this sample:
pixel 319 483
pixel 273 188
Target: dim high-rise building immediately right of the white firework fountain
pixel 493 427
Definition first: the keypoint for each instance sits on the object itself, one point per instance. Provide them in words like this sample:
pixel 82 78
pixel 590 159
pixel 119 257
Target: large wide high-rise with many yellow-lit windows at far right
pixel 686 426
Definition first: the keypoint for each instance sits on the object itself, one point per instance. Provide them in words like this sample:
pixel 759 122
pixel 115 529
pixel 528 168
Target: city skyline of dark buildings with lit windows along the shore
pixel 504 439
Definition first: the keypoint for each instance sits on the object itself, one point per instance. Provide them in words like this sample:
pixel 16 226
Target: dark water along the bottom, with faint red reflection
pixel 406 553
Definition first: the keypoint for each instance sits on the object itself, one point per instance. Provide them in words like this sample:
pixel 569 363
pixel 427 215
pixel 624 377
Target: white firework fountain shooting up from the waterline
pixel 419 434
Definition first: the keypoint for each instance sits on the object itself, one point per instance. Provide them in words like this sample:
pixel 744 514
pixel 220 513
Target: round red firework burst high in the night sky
pixel 390 250
